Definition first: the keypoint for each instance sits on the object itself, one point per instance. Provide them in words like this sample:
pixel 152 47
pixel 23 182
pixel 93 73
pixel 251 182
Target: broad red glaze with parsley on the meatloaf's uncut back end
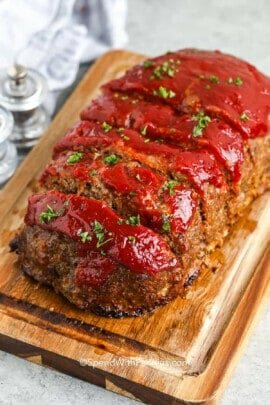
pixel 209 81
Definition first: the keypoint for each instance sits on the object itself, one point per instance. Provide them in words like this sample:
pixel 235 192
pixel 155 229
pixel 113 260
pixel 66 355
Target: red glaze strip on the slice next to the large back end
pixel 161 122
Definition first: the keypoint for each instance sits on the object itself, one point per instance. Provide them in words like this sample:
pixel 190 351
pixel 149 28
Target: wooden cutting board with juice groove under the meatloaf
pixel 183 352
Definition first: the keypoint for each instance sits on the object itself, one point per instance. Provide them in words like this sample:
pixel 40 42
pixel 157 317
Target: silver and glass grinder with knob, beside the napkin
pixel 22 91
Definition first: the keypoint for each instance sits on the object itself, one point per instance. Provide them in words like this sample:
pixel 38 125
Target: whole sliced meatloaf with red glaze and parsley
pixel 149 182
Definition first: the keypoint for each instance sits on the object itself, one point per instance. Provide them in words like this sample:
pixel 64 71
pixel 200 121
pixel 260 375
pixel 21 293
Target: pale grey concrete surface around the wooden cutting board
pixel 155 26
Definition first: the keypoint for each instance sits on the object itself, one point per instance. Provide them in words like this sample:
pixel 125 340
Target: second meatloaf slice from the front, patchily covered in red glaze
pixel 135 192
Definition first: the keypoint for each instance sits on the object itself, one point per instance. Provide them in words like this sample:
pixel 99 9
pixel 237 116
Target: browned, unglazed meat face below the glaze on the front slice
pixel 51 259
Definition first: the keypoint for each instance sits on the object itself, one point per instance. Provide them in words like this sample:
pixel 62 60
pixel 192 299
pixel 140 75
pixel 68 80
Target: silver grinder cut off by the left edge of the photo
pixel 8 152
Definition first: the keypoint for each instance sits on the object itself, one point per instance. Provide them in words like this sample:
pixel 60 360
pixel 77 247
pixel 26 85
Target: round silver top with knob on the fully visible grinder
pixel 21 89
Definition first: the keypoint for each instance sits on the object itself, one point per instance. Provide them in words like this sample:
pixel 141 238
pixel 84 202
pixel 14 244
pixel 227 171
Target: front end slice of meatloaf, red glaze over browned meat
pixel 90 255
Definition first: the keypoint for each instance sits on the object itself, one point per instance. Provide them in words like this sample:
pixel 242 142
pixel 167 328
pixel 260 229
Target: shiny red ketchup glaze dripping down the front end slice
pixel 146 252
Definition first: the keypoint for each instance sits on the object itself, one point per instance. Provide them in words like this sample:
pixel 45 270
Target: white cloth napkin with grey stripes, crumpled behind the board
pixel 53 37
